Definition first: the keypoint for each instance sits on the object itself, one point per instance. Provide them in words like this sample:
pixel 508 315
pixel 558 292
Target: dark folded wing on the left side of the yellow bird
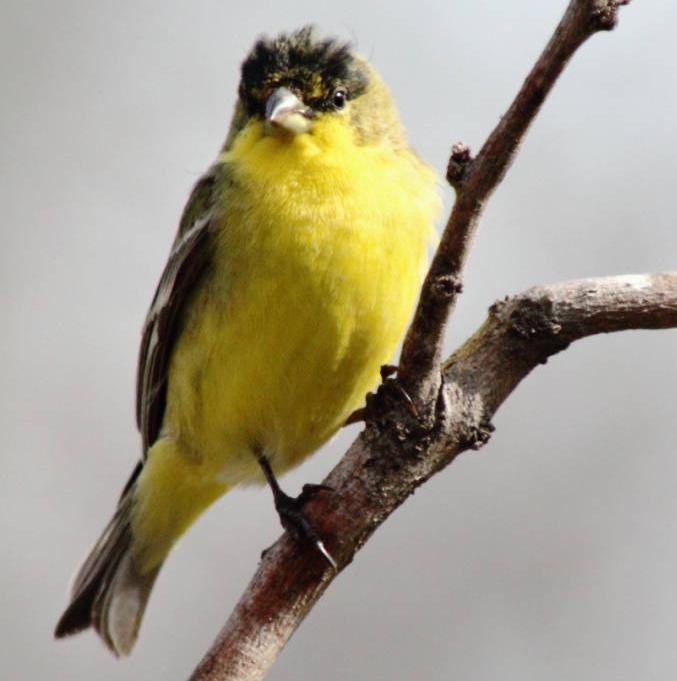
pixel 187 262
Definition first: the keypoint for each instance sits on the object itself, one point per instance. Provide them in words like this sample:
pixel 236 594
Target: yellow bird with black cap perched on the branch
pixel 292 277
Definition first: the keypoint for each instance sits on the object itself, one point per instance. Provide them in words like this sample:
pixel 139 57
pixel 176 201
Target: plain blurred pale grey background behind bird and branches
pixel 549 554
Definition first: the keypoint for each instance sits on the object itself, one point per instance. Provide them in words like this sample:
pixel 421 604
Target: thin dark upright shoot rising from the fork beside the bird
pixel 474 181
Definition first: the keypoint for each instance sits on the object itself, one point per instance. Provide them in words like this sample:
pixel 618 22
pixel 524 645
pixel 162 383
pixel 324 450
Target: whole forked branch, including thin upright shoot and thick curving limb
pixel 456 400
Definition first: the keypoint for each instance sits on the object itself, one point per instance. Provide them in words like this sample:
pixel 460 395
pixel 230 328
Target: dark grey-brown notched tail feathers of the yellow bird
pixel 109 592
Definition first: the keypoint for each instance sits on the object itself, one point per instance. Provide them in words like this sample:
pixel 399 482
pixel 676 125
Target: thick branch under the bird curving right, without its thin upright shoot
pixel 390 459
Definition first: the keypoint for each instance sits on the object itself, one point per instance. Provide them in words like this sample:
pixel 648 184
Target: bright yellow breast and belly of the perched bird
pixel 320 253
